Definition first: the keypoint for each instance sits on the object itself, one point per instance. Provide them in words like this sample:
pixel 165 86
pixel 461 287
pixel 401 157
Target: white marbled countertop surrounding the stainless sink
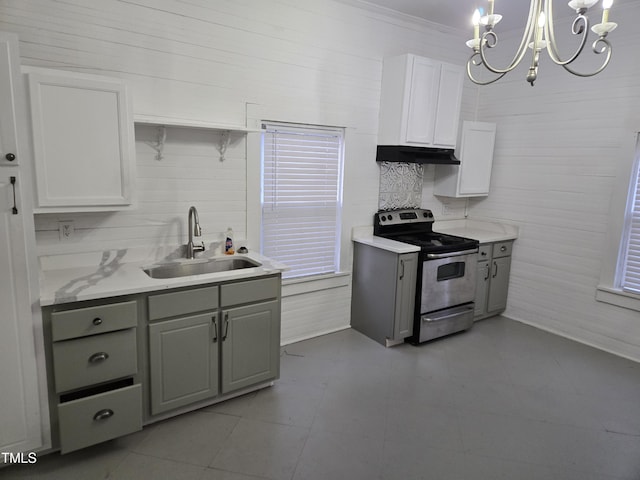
pixel 88 276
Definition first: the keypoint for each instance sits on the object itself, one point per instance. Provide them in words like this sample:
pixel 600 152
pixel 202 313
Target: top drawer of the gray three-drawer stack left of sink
pixel 92 320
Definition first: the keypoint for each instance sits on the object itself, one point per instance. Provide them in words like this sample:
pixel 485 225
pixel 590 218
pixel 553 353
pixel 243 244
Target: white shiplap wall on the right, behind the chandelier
pixel 559 147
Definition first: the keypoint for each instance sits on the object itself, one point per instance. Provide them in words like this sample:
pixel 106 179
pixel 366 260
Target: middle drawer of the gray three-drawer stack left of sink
pixel 86 361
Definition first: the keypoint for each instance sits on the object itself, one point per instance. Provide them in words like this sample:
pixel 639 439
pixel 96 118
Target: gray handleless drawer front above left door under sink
pixel 184 302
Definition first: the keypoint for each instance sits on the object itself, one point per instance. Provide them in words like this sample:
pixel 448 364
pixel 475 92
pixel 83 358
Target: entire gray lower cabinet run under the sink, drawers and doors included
pixel 114 364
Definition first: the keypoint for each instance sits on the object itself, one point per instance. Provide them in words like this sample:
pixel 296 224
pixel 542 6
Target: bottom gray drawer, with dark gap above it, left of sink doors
pixel 101 417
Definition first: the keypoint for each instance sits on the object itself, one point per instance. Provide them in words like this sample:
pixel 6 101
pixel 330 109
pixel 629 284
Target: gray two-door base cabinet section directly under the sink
pixel 196 355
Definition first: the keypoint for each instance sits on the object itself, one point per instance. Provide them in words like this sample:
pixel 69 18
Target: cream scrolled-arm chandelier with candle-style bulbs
pixel 539 35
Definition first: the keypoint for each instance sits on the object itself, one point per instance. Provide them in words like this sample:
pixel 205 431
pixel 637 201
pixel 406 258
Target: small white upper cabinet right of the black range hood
pixel 473 176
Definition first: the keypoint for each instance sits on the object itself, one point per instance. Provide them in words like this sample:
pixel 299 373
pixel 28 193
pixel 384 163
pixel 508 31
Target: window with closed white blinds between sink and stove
pixel 302 197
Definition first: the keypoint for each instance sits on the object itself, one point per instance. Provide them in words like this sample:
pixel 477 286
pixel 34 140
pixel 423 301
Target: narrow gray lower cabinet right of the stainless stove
pixel 492 284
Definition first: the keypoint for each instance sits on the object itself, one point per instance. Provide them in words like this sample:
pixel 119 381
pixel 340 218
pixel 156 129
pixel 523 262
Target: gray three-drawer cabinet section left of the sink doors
pixel 92 362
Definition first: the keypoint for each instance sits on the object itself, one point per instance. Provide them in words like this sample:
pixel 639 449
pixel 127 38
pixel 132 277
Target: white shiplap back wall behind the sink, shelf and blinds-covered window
pixel 309 61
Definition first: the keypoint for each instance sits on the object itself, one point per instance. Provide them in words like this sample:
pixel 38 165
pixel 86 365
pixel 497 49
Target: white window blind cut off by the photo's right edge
pixel 630 262
